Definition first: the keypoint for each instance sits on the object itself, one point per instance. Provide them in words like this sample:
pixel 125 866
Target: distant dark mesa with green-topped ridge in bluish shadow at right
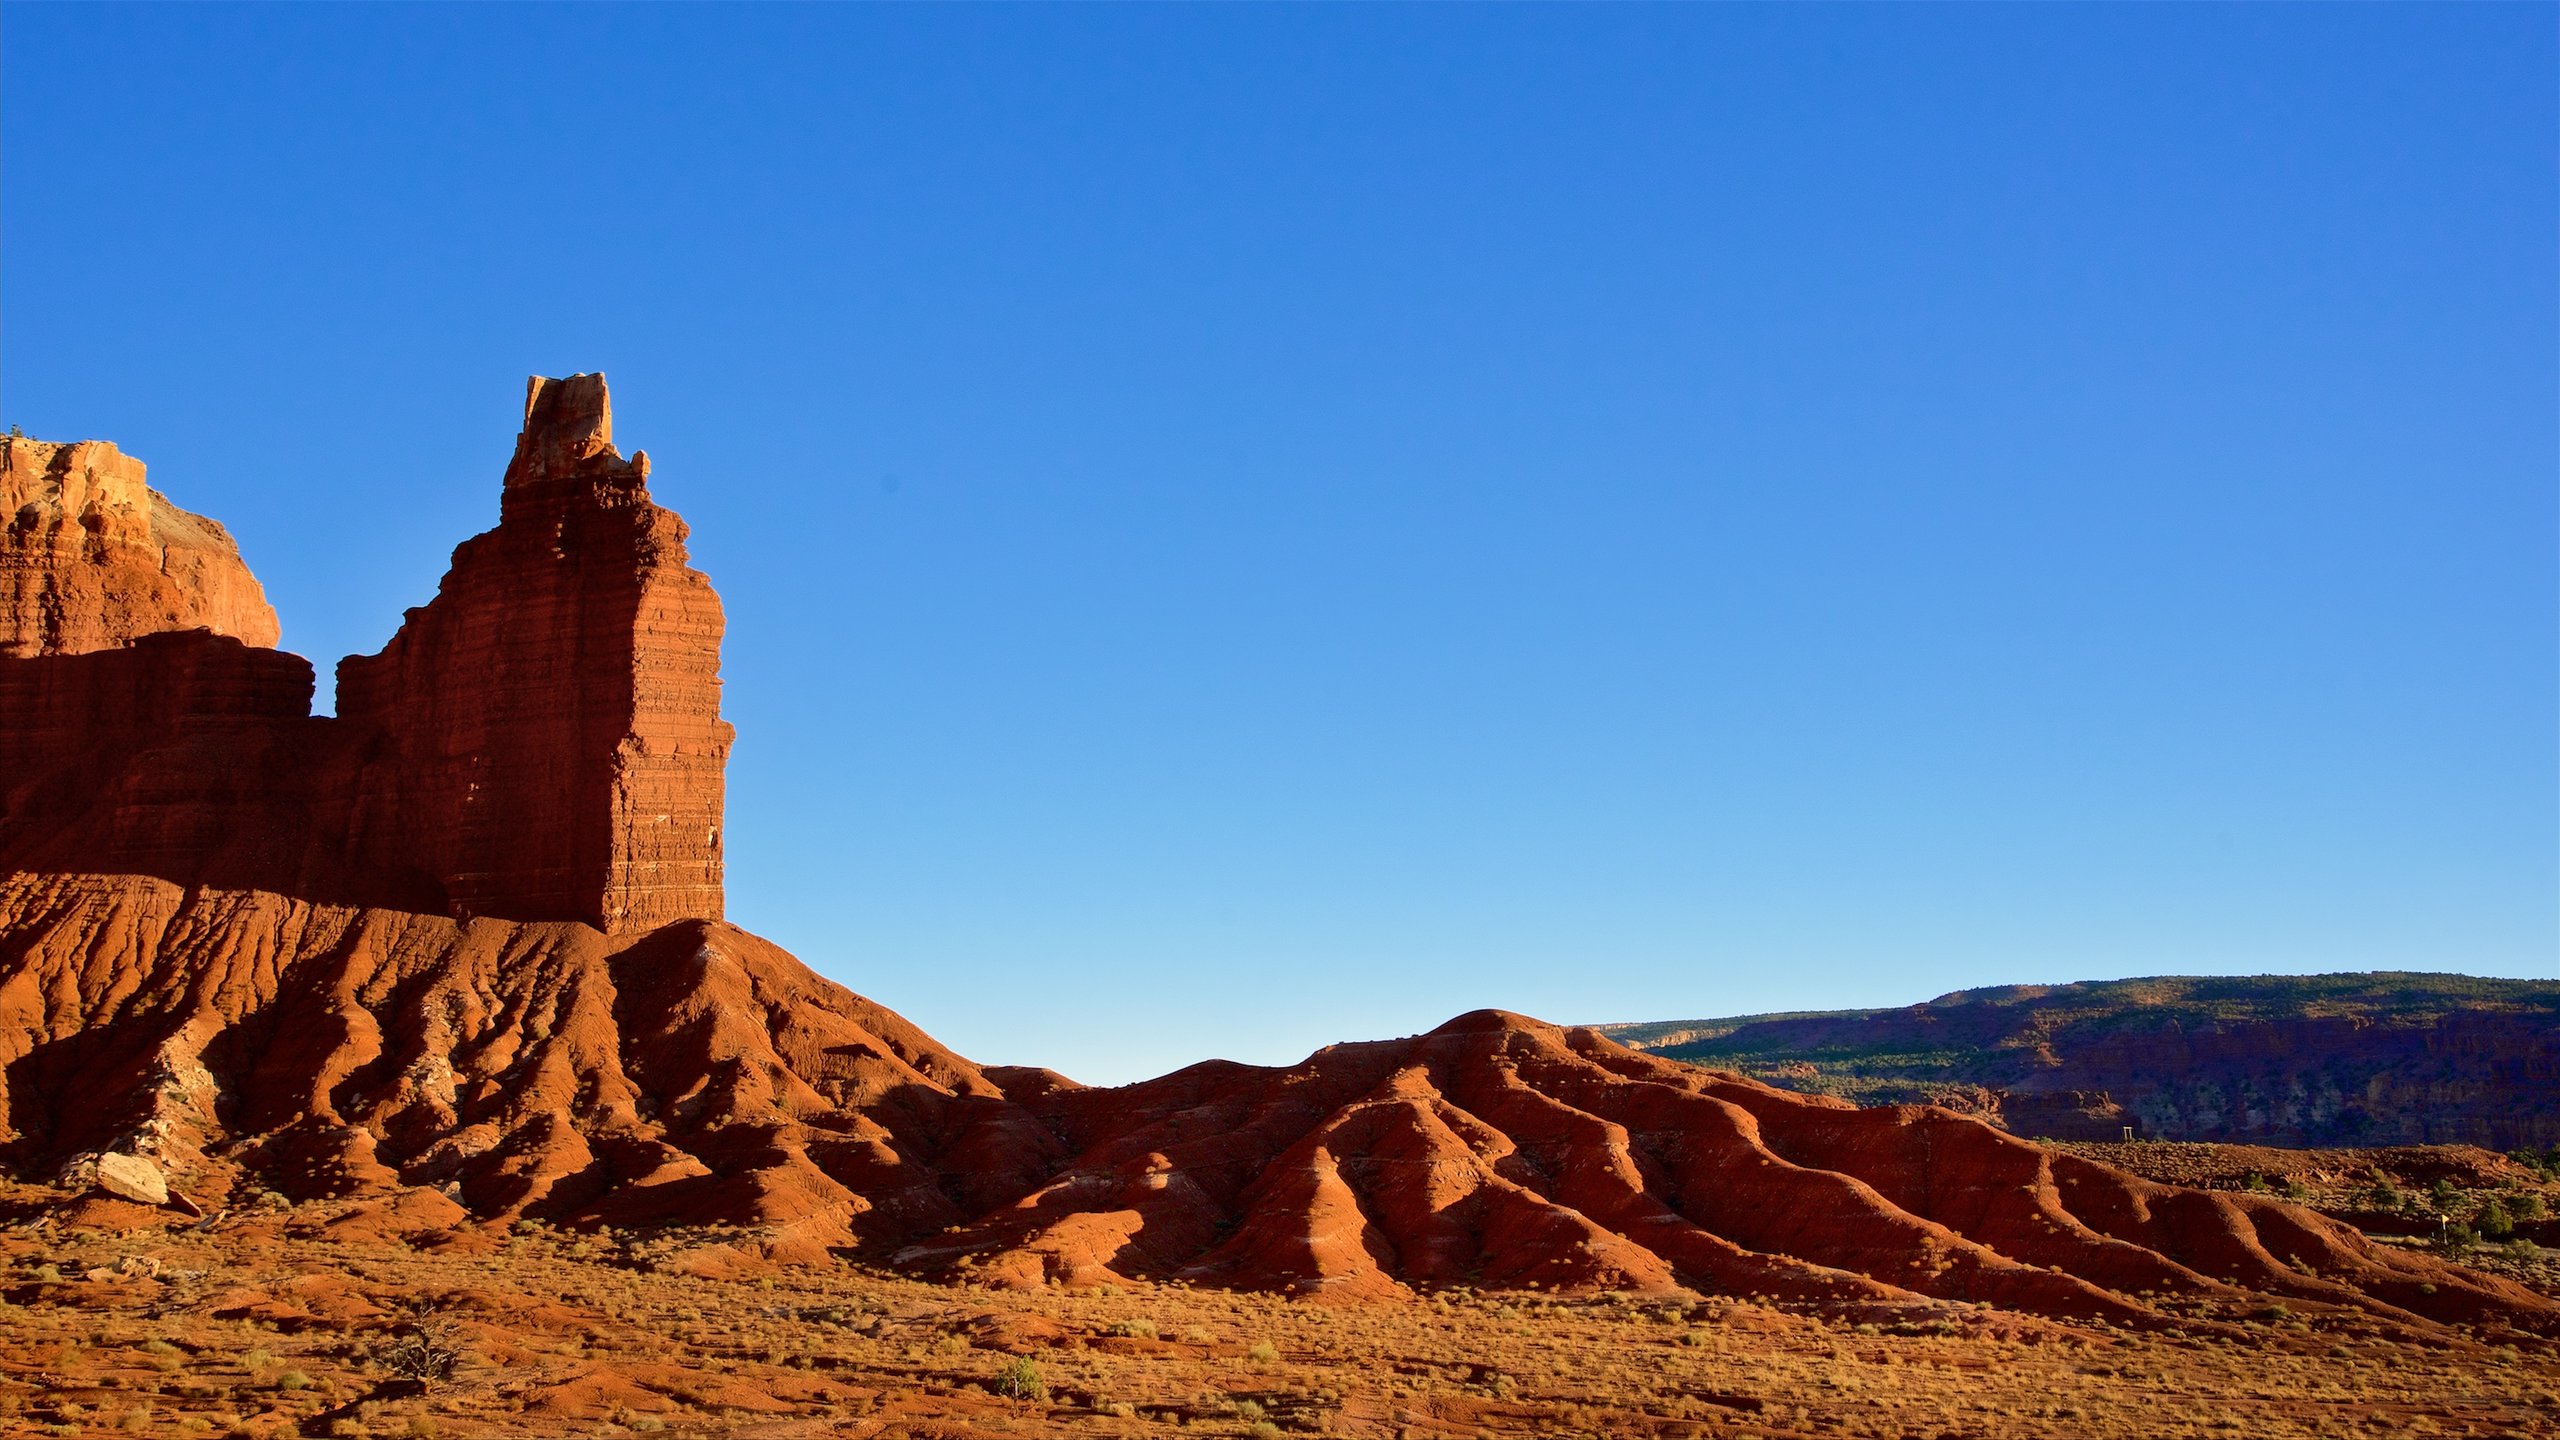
pixel 2339 1060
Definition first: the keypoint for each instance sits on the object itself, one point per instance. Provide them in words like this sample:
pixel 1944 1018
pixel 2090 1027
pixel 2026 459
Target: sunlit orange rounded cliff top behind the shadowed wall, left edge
pixel 93 557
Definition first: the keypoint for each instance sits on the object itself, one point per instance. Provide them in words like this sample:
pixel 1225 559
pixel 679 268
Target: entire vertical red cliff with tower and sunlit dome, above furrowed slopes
pixel 541 742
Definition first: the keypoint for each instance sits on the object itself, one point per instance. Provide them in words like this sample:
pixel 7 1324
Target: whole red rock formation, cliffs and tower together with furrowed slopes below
pixel 465 942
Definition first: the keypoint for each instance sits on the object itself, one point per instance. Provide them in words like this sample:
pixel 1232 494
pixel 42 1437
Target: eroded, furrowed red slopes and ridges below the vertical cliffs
pixel 698 1075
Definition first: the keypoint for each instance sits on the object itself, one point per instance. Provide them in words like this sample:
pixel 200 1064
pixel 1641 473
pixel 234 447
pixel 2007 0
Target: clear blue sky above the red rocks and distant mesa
pixel 1258 527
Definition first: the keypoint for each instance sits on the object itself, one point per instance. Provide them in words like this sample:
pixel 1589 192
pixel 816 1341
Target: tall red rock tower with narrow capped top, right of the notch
pixel 549 726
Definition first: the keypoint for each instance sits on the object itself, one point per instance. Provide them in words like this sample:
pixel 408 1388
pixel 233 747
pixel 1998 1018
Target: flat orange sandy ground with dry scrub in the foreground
pixel 122 1321
